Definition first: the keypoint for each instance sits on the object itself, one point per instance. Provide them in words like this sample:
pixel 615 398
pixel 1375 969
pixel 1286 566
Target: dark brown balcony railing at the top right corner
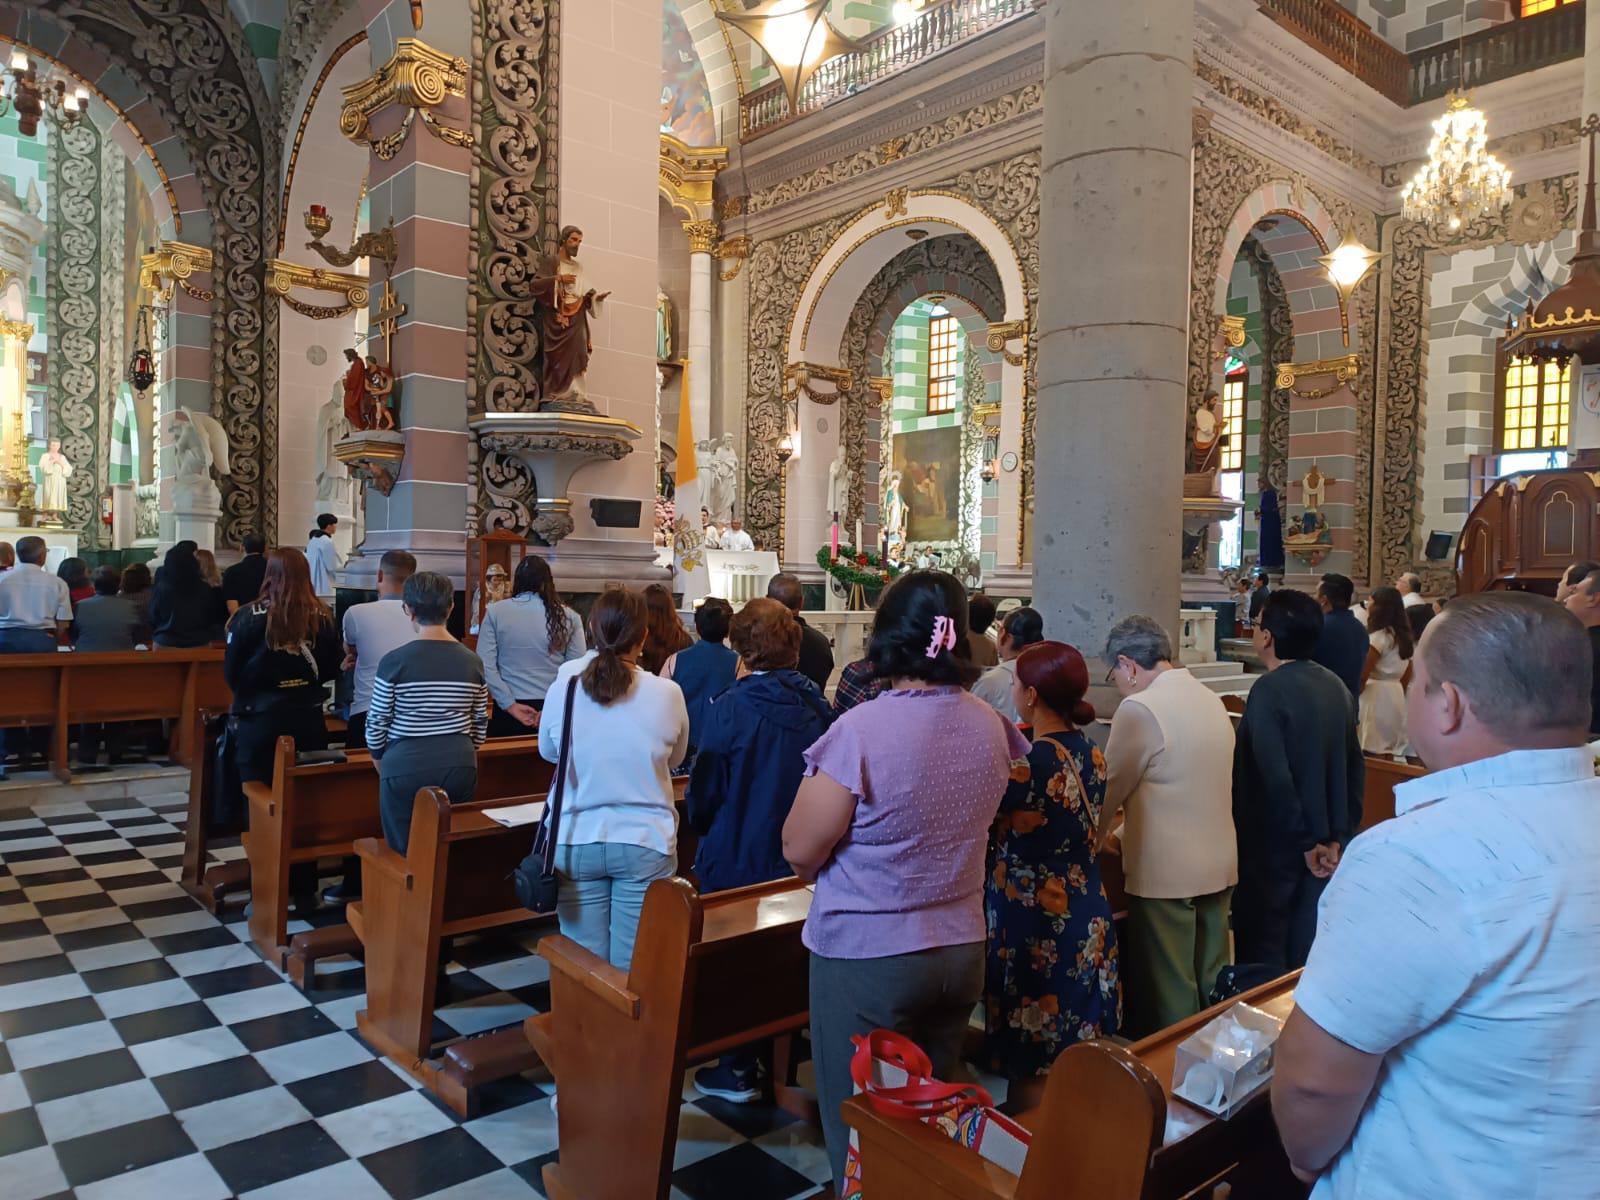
pixel 1423 76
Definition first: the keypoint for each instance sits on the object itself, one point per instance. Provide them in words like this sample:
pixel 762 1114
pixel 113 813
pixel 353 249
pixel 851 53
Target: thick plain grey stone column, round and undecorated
pixel 1114 297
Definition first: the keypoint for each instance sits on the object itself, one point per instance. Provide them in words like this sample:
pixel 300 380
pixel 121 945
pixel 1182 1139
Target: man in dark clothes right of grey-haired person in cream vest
pixel 1298 783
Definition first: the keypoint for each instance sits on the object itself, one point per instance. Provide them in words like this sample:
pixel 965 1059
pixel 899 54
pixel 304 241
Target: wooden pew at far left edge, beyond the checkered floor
pixel 73 689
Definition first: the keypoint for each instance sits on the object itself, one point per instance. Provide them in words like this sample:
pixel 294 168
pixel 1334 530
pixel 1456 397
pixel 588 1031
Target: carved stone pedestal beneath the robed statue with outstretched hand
pixel 556 446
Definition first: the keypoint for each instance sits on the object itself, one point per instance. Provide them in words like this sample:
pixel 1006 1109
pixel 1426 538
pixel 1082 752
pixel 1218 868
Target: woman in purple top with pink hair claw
pixel 892 823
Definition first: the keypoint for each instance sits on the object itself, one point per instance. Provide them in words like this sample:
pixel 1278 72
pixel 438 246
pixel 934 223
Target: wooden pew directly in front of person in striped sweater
pixel 319 812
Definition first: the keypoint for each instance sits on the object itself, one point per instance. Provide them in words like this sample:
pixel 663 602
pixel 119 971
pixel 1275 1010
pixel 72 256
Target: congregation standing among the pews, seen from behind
pixel 956 798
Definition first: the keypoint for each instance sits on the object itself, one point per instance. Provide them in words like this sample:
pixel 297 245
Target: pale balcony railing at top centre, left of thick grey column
pixel 934 31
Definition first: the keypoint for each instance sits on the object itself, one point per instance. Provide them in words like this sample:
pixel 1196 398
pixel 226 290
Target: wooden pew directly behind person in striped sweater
pixel 454 879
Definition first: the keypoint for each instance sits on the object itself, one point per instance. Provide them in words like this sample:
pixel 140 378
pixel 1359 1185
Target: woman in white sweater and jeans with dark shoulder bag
pixel 618 830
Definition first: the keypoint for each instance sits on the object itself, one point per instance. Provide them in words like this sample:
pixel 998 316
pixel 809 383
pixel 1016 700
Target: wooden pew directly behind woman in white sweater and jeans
pixel 711 974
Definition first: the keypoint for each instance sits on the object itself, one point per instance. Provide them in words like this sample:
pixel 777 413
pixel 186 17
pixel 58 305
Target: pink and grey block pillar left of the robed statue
pixel 426 191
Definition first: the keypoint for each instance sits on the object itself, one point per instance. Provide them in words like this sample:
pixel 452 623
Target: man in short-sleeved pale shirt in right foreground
pixel 1444 1039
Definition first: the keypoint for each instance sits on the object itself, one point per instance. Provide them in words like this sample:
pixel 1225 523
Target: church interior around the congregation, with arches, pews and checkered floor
pixel 1103 310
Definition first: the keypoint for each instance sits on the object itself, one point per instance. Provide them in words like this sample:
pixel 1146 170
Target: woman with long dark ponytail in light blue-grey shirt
pixel 524 642
